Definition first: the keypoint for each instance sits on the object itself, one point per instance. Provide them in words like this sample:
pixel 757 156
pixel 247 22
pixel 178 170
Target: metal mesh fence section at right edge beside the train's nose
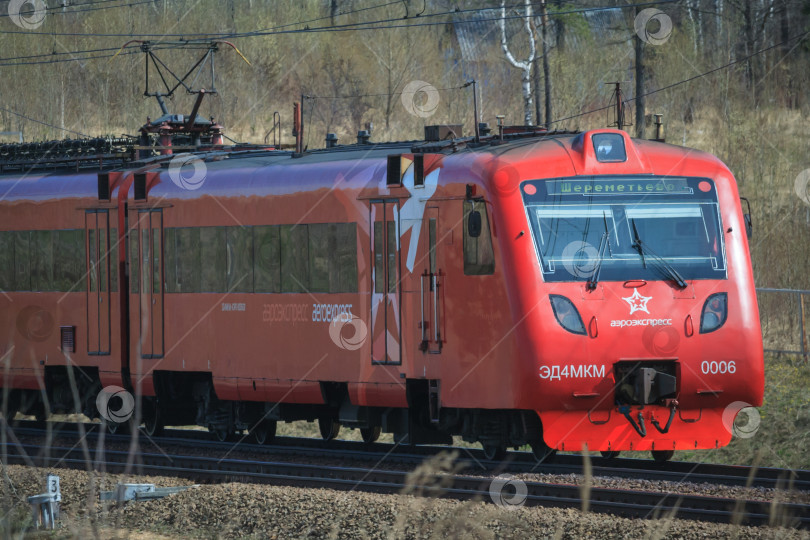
pixel 783 316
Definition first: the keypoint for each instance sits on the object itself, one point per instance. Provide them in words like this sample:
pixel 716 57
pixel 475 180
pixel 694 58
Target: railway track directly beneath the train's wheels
pixel 472 459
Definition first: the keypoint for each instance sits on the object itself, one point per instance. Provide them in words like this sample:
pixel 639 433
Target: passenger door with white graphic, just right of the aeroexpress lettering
pixel 386 330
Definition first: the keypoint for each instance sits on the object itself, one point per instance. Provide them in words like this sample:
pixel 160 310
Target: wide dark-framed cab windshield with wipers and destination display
pixel 621 228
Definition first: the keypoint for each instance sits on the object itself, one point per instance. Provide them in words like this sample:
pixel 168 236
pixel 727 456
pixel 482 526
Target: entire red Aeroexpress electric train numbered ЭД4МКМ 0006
pixel 544 288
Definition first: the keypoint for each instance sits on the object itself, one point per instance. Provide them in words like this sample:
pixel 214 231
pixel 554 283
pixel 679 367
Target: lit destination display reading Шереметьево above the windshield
pixel 661 186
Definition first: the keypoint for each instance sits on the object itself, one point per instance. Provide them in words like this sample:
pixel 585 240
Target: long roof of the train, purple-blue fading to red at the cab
pixel 60 174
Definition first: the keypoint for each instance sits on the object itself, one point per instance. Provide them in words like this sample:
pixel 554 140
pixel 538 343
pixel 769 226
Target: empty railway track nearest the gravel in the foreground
pixel 629 503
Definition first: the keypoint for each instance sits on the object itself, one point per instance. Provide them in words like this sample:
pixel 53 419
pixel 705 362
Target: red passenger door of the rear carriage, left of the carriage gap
pixel 97 250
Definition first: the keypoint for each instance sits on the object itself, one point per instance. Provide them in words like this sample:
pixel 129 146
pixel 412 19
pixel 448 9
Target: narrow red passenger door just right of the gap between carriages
pixel 150 289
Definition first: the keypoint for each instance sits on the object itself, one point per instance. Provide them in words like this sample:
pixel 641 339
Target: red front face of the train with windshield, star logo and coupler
pixel 651 339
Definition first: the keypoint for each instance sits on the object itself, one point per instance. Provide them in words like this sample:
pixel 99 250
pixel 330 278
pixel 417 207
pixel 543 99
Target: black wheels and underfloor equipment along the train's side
pixel 189 398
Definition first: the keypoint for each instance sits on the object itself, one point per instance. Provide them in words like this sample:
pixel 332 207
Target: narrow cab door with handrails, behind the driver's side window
pixel 431 285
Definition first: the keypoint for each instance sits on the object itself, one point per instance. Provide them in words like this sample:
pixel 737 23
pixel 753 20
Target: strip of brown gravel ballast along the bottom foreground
pixel 261 511
